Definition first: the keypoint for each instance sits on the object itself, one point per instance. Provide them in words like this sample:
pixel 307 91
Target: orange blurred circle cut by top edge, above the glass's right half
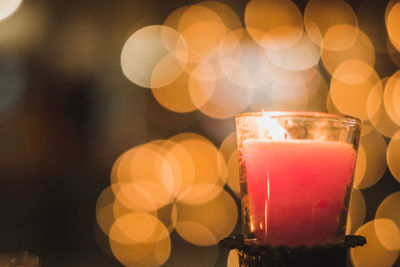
pixel 321 15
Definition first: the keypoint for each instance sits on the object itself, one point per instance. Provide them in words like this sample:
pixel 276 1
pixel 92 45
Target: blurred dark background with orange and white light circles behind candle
pixel 117 143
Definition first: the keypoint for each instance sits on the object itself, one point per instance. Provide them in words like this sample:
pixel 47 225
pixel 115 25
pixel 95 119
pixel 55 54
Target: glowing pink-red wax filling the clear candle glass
pixel 296 189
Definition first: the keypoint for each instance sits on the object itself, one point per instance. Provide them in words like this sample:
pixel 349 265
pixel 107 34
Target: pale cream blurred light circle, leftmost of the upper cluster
pixel 154 56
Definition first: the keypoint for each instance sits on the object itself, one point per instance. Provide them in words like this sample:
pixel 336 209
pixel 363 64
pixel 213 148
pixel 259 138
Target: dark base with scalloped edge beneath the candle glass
pixel 327 255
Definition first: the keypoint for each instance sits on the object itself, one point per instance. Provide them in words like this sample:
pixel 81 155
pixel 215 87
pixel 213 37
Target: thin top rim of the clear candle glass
pixel 300 114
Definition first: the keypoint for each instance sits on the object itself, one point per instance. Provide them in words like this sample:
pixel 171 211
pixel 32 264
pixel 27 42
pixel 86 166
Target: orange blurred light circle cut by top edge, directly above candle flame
pixel 274 24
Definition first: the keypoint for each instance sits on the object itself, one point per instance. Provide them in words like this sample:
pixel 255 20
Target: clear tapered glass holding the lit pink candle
pixel 296 176
